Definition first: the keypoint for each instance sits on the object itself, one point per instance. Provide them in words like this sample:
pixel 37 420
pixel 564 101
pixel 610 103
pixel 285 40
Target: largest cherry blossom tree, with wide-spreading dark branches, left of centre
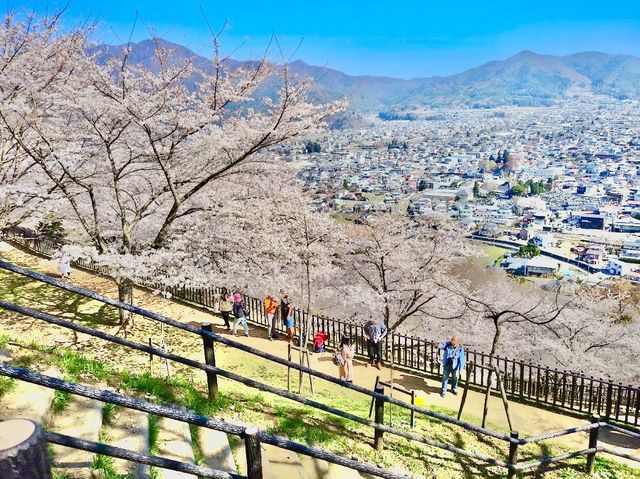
pixel 134 151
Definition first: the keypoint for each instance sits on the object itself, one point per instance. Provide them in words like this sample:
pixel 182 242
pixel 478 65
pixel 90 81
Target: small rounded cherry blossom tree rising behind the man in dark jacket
pixel 400 261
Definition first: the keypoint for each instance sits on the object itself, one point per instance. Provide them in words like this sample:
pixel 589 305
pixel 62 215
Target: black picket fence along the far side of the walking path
pixel 523 381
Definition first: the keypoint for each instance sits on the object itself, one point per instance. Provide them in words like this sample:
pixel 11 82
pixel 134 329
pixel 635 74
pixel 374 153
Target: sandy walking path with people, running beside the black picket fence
pixel 526 419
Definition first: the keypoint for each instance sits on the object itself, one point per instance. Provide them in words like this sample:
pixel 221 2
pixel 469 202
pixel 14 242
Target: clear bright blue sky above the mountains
pixel 401 38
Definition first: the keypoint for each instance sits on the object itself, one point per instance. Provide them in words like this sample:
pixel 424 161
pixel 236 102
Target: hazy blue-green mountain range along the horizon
pixel 525 79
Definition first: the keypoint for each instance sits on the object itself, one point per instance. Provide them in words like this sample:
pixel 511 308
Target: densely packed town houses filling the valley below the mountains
pixel 586 159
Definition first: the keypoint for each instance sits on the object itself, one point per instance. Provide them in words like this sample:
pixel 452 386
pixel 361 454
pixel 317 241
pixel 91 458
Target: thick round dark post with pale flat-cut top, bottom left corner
pixel 23 450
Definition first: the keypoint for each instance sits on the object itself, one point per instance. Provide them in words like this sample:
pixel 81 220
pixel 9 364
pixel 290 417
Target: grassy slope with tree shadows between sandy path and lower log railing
pixel 75 357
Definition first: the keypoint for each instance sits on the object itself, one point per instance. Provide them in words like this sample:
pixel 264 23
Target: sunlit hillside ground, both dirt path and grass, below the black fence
pixel 90 360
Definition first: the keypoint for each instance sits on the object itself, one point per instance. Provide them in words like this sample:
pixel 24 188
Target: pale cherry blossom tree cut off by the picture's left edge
pixel 33 58
